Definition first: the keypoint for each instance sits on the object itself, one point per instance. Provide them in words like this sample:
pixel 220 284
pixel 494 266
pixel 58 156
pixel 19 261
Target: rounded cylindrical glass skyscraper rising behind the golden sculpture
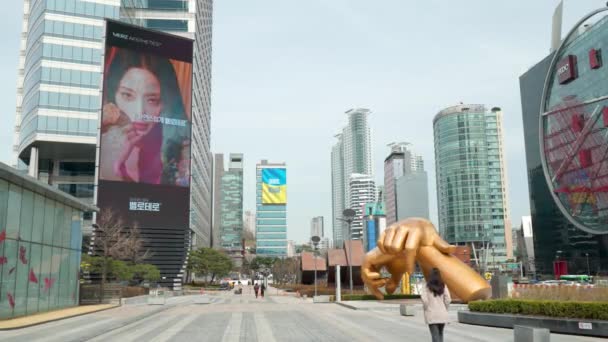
pixel 471 178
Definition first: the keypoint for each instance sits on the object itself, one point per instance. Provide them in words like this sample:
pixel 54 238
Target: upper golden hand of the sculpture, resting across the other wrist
pixel 405 237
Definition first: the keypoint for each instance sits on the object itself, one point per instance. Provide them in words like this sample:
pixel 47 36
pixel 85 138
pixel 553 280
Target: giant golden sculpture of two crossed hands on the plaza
pixel 415 239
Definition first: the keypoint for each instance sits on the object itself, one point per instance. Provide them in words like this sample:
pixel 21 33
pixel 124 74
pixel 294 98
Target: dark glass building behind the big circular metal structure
pixel 552 230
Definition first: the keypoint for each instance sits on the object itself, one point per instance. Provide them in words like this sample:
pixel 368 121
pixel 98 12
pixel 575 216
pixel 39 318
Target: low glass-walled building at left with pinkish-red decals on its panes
pixel 40 246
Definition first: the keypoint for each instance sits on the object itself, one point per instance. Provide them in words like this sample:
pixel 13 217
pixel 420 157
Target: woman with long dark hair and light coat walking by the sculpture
pixel 435 298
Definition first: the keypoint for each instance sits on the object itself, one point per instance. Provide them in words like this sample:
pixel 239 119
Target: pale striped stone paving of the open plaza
pixel 277 317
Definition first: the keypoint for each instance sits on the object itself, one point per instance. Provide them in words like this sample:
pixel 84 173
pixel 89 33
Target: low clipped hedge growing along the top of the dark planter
pixel 550 308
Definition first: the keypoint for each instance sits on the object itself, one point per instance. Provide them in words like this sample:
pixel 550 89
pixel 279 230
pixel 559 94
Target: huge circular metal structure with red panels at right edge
pixel 574 126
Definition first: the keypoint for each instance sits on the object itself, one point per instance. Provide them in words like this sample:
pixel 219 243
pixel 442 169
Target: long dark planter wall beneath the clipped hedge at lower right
pixel 574 326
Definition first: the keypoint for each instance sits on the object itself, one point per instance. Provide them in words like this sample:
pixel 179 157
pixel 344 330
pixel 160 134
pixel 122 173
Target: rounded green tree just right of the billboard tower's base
pixel 209 262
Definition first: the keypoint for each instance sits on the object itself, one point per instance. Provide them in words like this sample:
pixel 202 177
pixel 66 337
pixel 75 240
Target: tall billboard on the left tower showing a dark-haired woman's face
pixel 145 130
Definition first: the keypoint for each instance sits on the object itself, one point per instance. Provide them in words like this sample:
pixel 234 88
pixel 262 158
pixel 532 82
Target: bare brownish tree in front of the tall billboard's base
pixel 113 241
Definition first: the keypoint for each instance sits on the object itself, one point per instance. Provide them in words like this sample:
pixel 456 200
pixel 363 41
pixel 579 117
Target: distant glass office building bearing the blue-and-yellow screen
pixel 271 219
